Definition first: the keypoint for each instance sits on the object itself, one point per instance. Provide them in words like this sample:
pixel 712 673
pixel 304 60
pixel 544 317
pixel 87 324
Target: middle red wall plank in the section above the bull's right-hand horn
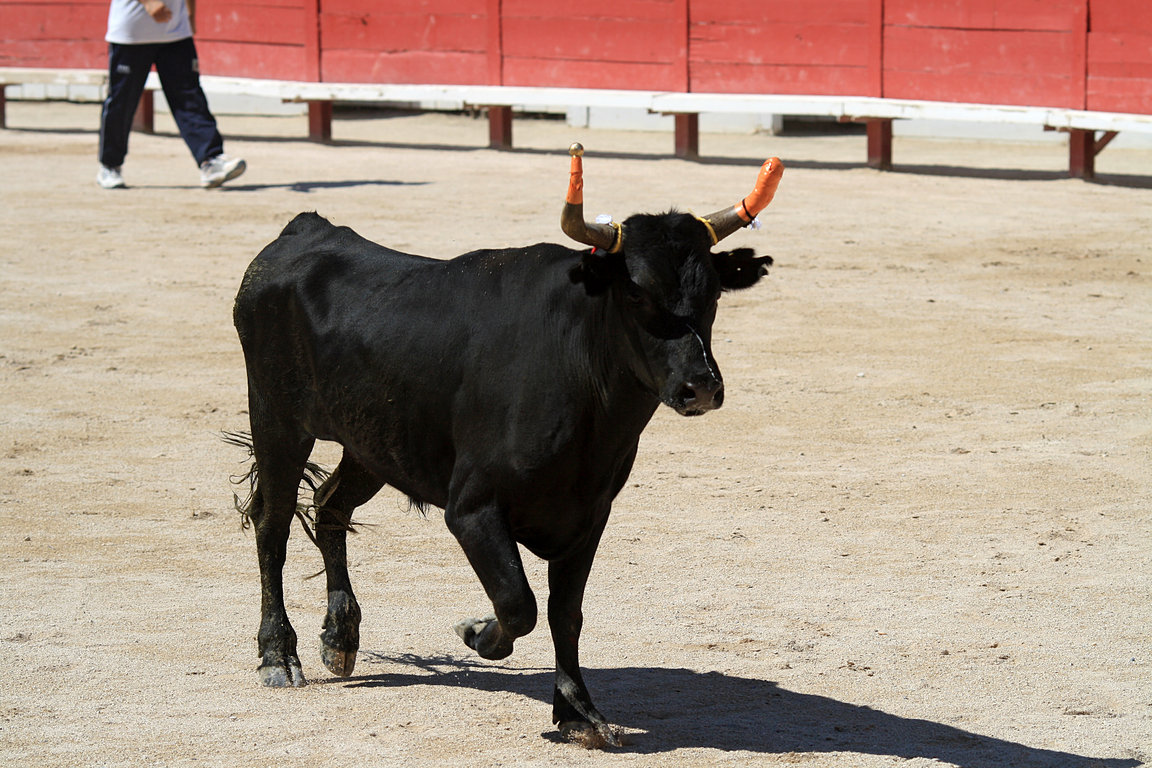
pixel 836 45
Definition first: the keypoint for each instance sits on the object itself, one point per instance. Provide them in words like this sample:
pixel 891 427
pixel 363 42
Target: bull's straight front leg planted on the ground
pixel 572 705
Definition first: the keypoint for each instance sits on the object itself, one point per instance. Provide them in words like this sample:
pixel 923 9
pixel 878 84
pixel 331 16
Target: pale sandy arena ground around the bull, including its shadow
pixel 918 534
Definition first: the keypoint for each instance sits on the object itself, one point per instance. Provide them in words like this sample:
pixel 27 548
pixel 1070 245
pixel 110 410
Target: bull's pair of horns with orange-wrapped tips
pixel 611 237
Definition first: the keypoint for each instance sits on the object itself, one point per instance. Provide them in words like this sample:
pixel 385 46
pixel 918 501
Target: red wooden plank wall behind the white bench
pixel 1082 55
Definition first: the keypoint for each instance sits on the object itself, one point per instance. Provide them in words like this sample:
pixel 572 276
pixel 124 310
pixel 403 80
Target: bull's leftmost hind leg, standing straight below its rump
pixel 281 458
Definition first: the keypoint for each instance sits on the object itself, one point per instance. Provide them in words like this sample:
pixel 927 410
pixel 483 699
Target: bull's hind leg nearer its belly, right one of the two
pixel 348 488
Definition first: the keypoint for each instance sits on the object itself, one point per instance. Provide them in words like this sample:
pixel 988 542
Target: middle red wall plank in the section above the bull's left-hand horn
pixel 593 40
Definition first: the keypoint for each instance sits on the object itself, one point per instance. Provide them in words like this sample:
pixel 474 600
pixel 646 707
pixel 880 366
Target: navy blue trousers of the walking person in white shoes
pixel 180 78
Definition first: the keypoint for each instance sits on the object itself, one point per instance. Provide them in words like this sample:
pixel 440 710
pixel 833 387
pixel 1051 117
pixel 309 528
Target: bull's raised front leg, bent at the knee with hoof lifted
pixel 482 530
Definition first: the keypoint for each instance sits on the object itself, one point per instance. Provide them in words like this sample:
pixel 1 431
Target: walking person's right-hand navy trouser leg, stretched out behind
pixel 178 66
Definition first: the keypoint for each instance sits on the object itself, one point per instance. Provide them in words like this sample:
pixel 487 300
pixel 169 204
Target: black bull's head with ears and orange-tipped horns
pixel 662 273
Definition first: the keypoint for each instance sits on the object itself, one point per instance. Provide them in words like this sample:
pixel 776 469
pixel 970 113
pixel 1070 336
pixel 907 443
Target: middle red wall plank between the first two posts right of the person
pixel 395 33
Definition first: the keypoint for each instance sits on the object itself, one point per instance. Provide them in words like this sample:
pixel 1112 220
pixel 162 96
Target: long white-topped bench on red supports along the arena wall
pixel 1089 132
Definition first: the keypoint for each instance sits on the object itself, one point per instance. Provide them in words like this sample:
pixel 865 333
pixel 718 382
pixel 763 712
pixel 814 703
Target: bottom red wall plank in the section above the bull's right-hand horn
pixel 710 78
